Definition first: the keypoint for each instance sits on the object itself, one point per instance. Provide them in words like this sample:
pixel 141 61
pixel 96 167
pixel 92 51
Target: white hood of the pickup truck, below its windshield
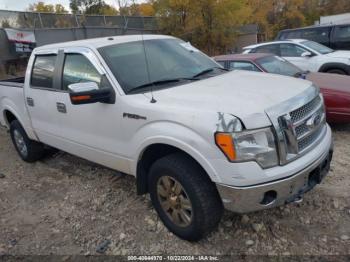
pixel 241 93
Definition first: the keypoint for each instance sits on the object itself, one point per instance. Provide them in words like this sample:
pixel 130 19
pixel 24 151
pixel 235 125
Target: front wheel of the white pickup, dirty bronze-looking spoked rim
pixel 198 192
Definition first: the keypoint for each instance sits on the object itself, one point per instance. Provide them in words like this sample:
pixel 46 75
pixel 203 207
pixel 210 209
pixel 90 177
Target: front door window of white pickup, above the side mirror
pixel 78 69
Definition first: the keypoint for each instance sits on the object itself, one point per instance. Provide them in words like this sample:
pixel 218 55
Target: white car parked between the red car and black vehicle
pixel 307 55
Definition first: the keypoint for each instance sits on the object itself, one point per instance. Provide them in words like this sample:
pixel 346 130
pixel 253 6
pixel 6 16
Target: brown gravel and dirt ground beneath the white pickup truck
pixel 65 205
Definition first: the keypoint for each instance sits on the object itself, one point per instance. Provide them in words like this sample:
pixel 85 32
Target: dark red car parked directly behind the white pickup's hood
pixel 335 88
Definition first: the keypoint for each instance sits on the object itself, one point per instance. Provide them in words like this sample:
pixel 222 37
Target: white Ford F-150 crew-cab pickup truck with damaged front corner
pixel 196 137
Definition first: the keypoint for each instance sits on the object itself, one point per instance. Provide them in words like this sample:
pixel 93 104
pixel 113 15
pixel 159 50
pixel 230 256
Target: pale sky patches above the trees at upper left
pixel 22 5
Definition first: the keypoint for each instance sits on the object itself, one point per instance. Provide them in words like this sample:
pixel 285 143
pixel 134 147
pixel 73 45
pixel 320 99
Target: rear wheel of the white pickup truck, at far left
pixel 29 150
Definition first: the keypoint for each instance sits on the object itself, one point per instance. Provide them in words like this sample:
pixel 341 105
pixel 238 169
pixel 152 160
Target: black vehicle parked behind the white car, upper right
pixel 333 36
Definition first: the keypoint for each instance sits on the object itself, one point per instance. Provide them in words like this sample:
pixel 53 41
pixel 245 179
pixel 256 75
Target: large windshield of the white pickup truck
pixel 169 62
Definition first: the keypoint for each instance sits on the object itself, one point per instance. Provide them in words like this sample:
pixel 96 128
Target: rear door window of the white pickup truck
pixel 43 71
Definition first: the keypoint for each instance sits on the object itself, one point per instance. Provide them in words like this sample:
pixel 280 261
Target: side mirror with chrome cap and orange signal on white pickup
pixel 89 93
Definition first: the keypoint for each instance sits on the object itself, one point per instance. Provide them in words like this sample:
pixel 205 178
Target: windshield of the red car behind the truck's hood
pixel 278 65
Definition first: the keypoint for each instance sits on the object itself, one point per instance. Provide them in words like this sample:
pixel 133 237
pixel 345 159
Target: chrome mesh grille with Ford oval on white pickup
pixel 302 128
